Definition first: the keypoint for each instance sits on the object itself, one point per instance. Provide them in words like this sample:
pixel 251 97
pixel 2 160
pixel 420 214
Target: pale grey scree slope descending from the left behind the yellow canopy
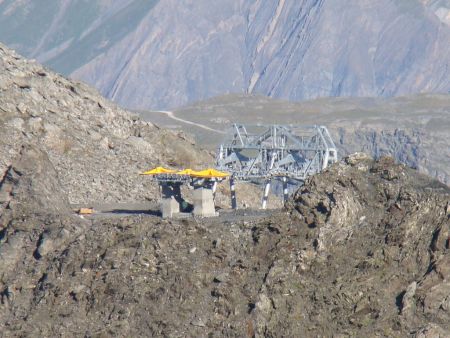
pixel 97 148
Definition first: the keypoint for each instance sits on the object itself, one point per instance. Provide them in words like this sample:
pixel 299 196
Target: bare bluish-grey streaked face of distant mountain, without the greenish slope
pixel 286 49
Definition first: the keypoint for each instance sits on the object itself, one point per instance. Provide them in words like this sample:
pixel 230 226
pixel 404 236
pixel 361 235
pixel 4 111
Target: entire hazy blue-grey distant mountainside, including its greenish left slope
pixel 159 54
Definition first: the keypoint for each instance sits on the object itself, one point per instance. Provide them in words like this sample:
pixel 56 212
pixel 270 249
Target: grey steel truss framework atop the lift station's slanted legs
pixel 266 152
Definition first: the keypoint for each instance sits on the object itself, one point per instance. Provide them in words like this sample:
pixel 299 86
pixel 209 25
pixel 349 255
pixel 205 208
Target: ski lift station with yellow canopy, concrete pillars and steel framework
pixel 278 154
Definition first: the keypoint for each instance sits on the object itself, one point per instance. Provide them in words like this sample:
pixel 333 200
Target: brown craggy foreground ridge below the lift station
pixel 363 249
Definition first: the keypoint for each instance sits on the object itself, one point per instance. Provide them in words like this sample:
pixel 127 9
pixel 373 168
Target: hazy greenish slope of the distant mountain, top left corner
pixel 67 34
